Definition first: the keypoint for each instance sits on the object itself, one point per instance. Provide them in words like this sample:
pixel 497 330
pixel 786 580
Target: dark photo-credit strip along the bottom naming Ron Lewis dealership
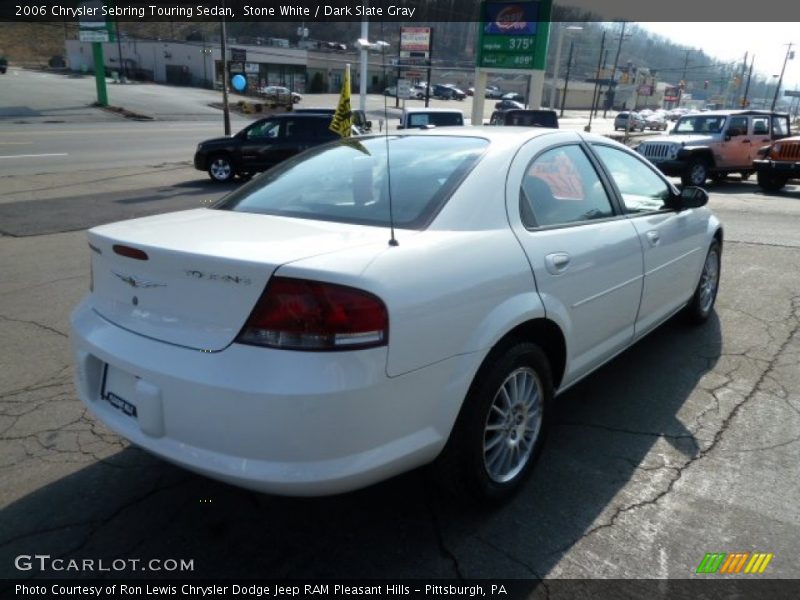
pixel 703 586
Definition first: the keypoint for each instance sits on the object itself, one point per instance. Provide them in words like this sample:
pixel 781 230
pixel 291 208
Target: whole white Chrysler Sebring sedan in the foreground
pixel 290 340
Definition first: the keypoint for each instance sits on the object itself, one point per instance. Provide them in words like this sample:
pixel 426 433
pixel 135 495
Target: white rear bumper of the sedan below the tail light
pixel 294 423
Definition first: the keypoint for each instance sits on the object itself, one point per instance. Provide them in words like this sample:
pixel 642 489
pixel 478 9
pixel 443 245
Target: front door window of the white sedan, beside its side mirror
pixel 641 188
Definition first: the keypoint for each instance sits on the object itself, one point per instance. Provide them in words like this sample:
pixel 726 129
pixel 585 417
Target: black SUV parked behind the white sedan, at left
pixel 262 144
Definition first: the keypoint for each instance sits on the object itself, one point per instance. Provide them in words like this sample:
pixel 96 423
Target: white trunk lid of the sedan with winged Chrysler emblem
pixel 192 278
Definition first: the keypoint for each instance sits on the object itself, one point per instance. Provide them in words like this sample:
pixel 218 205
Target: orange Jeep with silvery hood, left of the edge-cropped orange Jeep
pixel 715 144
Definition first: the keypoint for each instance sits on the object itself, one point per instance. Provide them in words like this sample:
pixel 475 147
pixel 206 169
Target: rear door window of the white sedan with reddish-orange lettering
pixel 560 186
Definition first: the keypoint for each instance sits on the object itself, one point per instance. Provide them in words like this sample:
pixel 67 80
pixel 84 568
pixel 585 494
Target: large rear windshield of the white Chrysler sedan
pixel 348 181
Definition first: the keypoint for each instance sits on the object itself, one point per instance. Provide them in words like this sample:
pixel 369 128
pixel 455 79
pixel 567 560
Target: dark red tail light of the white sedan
pixel 298 314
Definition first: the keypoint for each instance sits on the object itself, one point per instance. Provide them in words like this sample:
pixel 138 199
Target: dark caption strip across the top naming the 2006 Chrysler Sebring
pixel 397 11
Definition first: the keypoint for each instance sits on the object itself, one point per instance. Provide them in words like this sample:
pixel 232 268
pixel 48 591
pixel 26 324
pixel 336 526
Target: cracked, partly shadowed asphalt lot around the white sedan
pixel 687 443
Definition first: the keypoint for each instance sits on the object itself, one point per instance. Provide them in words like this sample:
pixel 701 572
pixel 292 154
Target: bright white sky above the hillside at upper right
pixel 729 41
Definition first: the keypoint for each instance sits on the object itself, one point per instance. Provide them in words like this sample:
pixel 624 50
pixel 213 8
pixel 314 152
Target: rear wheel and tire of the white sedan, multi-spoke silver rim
pixel 500 430
